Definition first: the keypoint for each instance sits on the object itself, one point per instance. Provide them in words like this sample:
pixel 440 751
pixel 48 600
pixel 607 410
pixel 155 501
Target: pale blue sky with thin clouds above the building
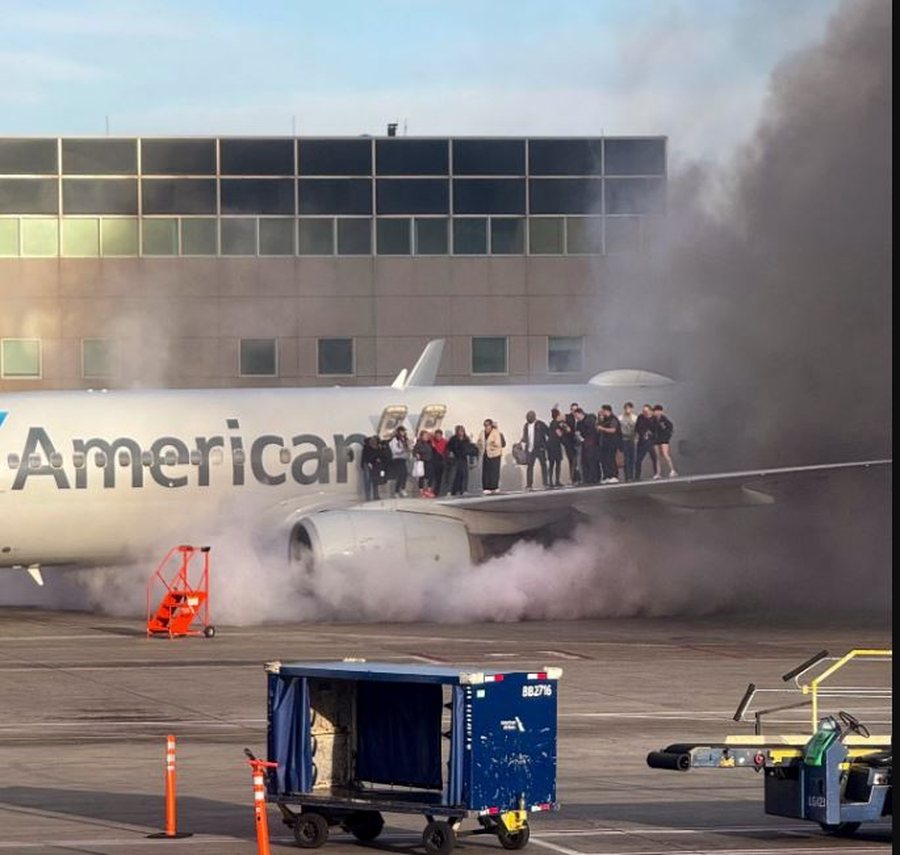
pixel 695 70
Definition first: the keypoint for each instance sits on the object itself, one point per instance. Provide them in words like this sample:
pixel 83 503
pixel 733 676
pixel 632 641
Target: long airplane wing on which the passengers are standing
pixel 726 490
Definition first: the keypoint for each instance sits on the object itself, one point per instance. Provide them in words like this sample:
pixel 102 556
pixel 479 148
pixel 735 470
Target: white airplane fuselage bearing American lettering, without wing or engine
pixel 93 477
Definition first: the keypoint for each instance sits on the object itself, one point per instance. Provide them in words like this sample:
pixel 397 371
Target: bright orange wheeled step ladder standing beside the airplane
pixel 184 607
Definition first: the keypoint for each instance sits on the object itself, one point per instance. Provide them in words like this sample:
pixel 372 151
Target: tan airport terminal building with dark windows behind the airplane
pixel 235 261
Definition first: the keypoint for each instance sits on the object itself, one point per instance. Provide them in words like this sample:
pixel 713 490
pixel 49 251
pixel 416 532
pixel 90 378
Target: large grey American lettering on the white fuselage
pixel 174 462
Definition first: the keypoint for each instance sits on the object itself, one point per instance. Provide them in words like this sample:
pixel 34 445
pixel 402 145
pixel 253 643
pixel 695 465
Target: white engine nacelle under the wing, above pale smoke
pixel 407 538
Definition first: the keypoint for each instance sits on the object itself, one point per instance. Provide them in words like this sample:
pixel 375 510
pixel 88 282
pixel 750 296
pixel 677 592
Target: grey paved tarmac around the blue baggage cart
pixel 86 702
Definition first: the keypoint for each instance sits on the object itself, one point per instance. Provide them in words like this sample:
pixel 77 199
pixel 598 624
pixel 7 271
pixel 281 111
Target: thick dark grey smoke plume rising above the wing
pixel 772 296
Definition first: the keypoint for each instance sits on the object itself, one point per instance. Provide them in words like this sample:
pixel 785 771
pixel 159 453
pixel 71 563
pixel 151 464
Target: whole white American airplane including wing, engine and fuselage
pixel 90 478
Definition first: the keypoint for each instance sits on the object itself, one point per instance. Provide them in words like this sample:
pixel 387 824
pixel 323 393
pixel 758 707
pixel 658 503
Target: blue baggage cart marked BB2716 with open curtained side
pixel 353 740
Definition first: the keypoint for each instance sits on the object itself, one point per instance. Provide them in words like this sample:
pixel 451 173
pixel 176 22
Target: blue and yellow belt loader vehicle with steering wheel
pixel 839 775
